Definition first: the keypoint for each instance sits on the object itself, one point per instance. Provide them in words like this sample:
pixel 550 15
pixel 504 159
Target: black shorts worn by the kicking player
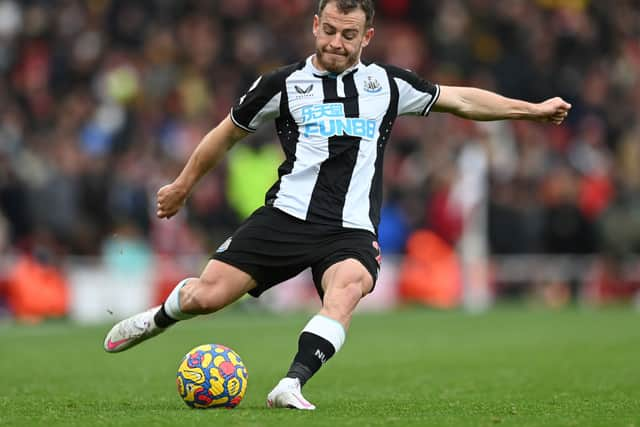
pixel 272 246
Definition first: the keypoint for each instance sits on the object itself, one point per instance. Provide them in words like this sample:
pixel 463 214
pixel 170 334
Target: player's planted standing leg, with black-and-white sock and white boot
pixel 344 283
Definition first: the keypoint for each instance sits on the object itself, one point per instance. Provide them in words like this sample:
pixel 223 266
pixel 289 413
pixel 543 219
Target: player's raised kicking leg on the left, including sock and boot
pixel 219 285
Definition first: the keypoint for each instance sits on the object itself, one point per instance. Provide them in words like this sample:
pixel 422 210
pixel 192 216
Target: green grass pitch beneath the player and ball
pixel 512 366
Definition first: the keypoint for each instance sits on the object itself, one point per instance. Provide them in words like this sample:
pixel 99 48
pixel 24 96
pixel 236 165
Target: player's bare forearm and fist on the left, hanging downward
pixel 205 157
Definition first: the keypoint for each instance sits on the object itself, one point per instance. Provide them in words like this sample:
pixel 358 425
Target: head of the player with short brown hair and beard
pixel 340 38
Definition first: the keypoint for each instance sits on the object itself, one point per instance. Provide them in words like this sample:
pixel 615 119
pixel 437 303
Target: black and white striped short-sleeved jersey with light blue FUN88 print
pixel 333 130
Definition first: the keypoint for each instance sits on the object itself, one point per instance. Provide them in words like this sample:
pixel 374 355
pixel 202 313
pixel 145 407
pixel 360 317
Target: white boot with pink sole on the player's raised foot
pixel 132 331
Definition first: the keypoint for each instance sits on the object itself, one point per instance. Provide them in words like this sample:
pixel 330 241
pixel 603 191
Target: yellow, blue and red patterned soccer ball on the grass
pixel 212 376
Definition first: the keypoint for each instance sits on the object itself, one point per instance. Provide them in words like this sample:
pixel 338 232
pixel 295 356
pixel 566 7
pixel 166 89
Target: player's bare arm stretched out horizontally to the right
pixel 478 104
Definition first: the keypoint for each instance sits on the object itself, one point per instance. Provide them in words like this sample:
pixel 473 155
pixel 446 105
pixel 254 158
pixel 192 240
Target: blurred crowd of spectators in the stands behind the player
pixel 102 101
